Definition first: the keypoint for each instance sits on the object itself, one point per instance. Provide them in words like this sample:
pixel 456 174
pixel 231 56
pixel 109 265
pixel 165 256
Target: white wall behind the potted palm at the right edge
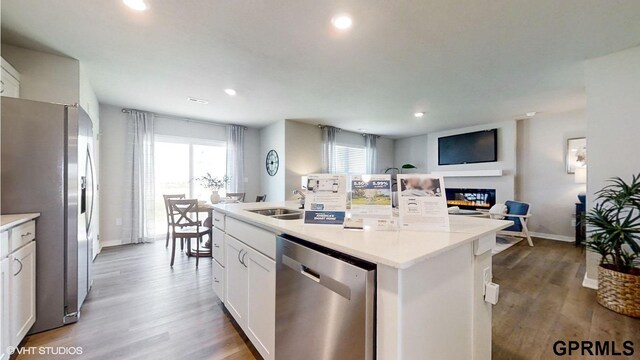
pixel 613 104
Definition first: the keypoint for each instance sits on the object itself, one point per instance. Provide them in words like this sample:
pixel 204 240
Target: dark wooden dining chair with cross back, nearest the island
pixel 186 224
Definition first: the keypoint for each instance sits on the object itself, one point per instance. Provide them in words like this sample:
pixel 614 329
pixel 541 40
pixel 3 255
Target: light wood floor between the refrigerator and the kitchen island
pixel 140 308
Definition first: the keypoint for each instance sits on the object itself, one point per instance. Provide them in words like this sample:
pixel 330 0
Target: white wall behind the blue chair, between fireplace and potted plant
pixel 542 179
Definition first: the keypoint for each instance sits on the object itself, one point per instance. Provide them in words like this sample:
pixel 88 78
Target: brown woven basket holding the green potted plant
pixel 619 292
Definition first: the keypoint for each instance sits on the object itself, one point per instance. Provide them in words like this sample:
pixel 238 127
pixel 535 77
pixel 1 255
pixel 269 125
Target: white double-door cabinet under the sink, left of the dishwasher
pixel 250 293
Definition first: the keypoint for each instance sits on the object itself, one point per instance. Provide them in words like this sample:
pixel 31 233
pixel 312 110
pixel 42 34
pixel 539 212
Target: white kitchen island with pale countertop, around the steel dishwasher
pixel 429 292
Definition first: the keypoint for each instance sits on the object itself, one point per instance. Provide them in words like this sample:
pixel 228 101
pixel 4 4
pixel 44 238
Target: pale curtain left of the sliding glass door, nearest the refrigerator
pixel 139 191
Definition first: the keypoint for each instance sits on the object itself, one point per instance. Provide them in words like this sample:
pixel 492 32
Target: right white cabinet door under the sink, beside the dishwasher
pixel 261 311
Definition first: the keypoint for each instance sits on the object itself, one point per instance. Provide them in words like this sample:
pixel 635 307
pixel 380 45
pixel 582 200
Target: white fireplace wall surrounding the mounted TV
pixel 505 184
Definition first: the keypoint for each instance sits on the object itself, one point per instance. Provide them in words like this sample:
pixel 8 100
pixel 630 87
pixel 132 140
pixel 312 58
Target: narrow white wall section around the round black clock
pixel 273 137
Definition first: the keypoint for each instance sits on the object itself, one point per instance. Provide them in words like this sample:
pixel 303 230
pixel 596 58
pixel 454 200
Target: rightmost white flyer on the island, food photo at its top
pixel 422 202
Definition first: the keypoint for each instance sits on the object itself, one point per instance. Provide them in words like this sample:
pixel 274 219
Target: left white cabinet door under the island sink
pixel 236 280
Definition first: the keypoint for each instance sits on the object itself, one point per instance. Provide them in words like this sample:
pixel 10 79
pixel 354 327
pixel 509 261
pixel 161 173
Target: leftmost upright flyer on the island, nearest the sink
pixel 325 199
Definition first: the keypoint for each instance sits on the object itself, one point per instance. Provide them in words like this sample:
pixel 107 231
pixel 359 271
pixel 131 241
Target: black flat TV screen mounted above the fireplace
pixel 474 147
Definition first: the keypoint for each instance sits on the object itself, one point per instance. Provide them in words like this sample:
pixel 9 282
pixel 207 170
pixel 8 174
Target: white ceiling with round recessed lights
pixel 463 62
